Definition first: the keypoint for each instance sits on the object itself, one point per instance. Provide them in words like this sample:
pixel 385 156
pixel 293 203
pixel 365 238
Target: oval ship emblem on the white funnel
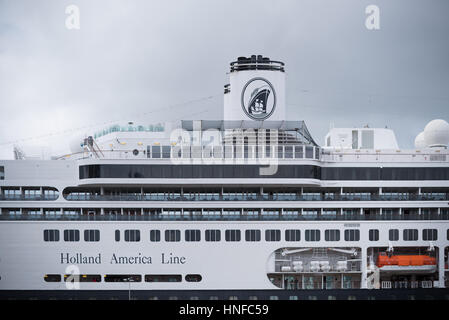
pixel 258 99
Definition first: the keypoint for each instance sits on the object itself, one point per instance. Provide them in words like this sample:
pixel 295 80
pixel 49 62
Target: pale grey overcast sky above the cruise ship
pixel 133 57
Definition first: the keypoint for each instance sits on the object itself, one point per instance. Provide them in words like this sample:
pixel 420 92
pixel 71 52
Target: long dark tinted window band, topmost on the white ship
pixel 253 171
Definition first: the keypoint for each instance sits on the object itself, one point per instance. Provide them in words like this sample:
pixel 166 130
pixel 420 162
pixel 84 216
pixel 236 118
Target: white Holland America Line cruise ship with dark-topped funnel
pixel 245 207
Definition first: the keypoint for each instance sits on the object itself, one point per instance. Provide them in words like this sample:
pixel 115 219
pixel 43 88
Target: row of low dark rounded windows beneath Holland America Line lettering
pixel 122 278
